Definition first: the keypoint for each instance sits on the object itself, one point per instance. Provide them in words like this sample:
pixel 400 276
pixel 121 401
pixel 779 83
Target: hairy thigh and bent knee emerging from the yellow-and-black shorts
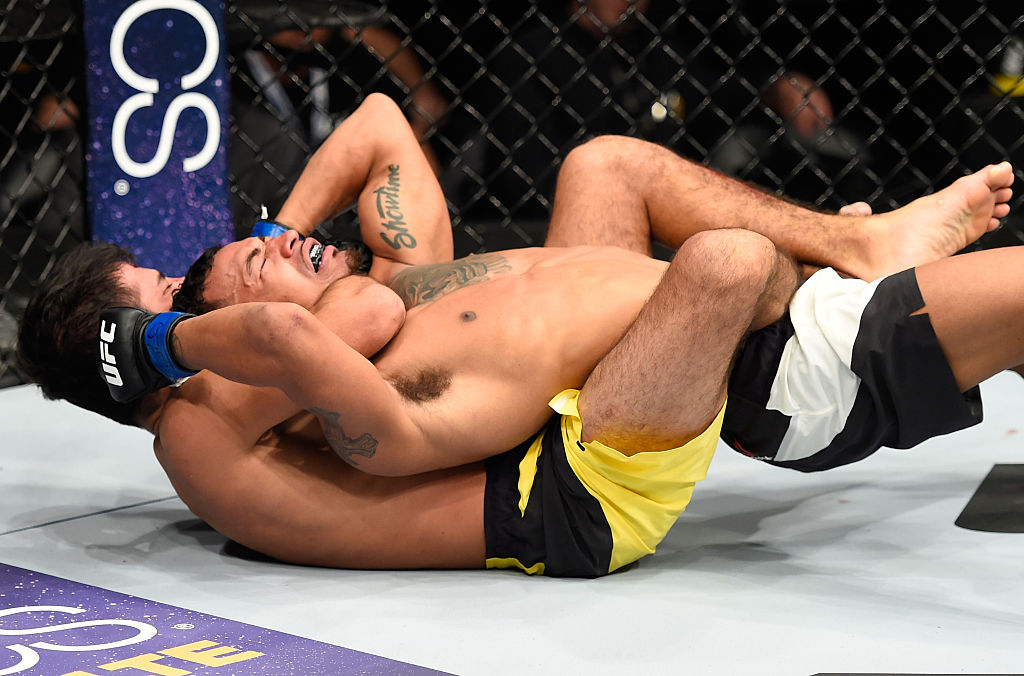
pixel 666 381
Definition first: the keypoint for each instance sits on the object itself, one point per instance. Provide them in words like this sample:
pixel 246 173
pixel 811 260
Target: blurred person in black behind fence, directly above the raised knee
pixel 590 68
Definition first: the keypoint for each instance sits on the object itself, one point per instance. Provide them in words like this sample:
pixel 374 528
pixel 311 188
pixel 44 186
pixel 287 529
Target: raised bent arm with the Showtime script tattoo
pixel 373 159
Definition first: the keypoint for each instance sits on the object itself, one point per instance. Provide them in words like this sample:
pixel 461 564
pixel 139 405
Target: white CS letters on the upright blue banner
pixel 149 87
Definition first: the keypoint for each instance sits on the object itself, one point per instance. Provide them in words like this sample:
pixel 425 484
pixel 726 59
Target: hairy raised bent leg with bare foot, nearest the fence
pixel 624 192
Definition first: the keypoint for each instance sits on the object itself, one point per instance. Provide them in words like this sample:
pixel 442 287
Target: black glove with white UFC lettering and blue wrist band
pixel 136 354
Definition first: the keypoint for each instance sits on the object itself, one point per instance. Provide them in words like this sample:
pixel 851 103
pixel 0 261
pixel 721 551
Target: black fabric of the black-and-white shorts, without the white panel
pixel 908 393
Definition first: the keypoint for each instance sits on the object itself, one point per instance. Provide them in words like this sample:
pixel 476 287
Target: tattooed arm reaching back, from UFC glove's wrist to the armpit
pixel 363 417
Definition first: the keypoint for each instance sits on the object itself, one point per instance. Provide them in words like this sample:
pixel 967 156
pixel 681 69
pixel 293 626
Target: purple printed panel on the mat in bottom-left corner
pixel 54 626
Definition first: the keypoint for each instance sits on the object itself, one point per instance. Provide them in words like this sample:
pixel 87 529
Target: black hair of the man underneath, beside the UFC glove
pixel 58 343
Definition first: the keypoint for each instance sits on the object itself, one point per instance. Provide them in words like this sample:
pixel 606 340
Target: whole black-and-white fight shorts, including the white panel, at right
pixel 848 371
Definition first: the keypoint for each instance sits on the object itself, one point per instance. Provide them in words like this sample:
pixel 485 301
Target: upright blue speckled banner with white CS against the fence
pixel 158 110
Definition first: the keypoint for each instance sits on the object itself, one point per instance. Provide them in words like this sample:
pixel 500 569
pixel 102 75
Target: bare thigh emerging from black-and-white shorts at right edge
pixel 976 306
